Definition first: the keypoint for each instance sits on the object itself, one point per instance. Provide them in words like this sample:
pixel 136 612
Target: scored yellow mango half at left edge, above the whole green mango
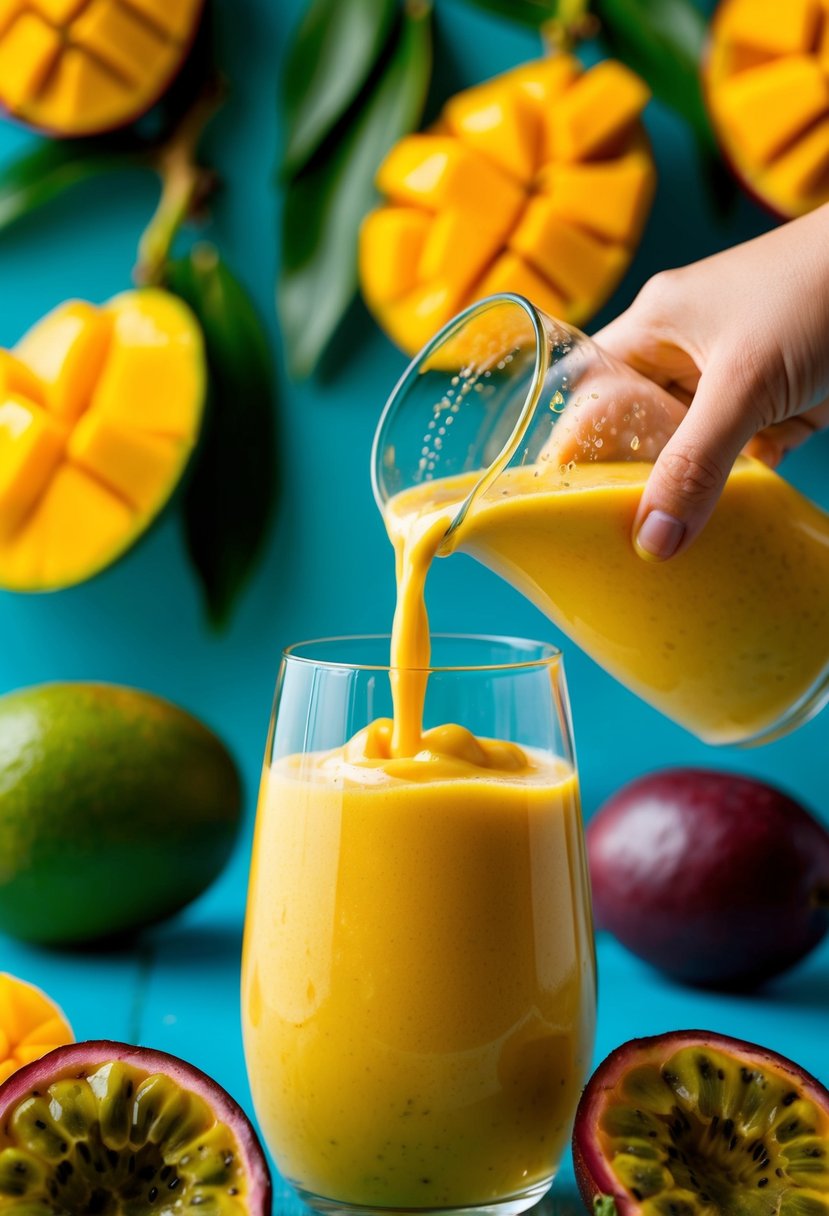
pixel 100 410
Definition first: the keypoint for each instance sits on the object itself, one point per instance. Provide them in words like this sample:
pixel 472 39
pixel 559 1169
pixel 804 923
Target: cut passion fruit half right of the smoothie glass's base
pixel 696 1124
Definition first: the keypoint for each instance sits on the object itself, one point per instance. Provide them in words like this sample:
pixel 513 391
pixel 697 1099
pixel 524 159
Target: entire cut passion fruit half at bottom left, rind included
pixel 108 1129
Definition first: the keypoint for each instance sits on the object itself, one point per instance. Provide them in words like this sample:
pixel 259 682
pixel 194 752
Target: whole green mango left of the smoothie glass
pixel 117 809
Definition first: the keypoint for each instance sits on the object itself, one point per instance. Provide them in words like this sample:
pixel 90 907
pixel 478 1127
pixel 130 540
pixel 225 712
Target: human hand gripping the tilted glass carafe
pixel 743 340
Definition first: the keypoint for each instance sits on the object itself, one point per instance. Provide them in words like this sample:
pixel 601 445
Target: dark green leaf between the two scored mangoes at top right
pixel 663 41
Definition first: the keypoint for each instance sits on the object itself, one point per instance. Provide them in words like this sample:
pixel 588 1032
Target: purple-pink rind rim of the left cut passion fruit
pixel 93 1055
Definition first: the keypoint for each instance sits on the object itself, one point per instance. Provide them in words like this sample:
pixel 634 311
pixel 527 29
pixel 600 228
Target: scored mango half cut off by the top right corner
pixel 768 88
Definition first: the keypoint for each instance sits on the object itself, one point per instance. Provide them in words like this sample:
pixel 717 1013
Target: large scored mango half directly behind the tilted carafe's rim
pixel 539 183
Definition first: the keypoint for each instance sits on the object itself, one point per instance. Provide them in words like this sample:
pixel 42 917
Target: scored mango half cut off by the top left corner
pixel 78 67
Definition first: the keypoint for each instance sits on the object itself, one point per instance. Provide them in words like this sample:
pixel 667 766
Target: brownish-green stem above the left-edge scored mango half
pixel 185 184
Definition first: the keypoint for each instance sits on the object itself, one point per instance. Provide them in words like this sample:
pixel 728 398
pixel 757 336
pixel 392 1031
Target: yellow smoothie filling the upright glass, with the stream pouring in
pixel 419 973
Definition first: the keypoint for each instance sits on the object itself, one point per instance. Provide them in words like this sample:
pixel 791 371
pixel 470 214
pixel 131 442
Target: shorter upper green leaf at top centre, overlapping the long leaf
pixel 329 63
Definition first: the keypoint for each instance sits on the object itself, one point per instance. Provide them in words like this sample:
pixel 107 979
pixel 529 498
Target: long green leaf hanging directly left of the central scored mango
pixel 325 206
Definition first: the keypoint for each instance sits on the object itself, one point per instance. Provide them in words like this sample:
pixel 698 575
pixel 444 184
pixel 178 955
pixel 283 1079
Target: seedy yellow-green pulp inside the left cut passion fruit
pixel 119 1142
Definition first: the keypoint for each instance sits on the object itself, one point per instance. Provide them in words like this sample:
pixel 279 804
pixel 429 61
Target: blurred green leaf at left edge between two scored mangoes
pixel 50 170
